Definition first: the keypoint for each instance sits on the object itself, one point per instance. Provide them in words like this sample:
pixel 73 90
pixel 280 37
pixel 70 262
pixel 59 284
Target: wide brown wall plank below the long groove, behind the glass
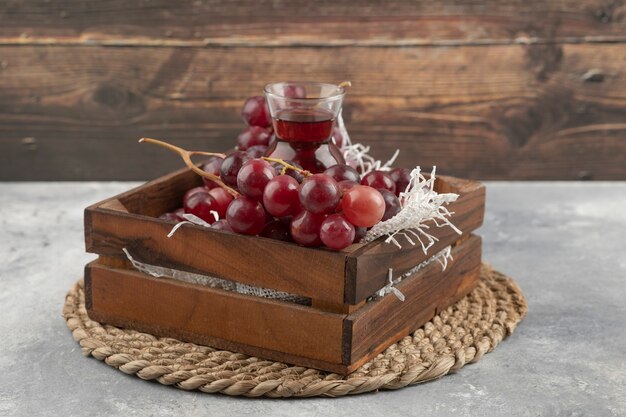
pixel 497 112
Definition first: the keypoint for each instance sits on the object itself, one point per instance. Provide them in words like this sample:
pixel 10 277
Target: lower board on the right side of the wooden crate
pixel 383 322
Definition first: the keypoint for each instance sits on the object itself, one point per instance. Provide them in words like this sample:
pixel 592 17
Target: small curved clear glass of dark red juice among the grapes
pixel 303 115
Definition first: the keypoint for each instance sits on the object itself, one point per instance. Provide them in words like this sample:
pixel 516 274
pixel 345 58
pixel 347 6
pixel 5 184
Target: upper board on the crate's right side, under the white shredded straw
pixel 368 266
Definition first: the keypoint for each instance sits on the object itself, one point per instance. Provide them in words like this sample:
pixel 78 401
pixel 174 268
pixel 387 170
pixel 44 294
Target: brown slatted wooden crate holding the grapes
pixel 337 332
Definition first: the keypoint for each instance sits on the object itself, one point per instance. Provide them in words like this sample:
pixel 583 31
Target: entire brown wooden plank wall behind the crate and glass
pixel 504 89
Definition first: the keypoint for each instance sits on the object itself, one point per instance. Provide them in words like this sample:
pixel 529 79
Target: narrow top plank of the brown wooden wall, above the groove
pixel 324 22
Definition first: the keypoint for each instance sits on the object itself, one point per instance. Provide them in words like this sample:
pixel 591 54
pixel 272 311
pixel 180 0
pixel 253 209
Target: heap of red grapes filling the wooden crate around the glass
pixel 279 200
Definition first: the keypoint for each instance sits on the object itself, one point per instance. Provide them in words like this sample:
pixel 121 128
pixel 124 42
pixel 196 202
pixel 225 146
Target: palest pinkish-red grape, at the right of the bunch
pixel 363 206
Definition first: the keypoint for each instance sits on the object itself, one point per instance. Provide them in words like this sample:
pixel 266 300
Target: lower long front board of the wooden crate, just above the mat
pixel 272 329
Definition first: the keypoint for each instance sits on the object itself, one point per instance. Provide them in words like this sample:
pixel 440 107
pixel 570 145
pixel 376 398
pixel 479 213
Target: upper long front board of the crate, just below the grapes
pixel 260 262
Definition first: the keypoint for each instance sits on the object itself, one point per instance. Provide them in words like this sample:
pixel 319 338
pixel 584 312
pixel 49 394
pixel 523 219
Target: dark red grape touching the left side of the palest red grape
pixel 319 193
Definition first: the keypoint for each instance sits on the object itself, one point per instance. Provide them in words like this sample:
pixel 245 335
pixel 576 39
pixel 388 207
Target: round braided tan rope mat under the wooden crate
pixel 461 334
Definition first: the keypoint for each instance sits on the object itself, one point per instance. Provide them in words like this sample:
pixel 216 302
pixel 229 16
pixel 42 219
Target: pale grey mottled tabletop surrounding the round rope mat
pixel 564 243
